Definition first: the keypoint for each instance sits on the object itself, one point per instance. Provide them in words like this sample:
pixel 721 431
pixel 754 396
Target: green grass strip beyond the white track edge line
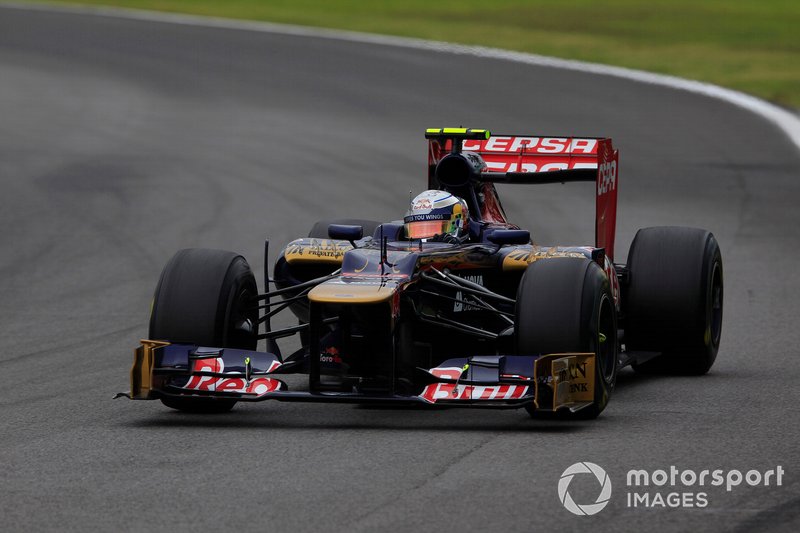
pixel 749 45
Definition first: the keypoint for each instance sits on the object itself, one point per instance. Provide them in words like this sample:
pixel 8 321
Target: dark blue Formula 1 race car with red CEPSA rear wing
pixel 451 306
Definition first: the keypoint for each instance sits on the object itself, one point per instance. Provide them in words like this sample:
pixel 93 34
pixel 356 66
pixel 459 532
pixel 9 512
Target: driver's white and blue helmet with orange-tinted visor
pixel 436 213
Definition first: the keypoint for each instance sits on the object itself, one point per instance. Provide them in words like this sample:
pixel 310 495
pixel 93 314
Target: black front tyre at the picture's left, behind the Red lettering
pixel 204 297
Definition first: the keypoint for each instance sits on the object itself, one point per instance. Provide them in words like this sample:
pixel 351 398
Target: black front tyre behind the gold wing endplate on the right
pixel 565 305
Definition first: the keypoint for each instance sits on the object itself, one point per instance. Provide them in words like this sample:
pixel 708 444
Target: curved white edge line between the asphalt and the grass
pixel 787 121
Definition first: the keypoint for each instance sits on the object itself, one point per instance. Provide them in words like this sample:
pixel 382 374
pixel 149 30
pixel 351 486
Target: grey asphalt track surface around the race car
pixel 123 141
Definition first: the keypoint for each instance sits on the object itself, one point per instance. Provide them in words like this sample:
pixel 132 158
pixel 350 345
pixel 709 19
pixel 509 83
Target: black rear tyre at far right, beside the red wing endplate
pixel 674 301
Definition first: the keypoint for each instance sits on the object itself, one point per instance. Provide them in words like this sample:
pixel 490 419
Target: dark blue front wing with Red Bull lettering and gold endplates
pixel 550 382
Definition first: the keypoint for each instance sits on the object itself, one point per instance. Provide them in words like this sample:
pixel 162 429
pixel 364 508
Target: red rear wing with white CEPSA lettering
pixel 534 160
